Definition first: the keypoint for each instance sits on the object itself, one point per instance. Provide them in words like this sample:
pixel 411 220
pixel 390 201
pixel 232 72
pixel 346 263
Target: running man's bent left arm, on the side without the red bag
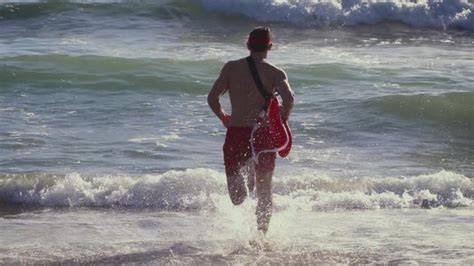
pixel 219 88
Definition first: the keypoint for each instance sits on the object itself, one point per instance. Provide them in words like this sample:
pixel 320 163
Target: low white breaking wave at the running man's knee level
pixel 205 189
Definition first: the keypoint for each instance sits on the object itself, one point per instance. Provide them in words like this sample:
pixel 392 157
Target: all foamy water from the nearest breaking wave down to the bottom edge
pixel 185 217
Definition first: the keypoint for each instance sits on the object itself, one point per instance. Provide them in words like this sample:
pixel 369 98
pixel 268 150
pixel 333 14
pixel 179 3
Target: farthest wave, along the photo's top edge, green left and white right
pixel 308 13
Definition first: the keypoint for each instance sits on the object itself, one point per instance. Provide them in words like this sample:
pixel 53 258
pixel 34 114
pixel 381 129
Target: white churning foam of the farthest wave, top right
pixel 424 13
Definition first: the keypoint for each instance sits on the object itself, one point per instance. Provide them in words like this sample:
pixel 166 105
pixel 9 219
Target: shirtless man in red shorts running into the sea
pixel 246 103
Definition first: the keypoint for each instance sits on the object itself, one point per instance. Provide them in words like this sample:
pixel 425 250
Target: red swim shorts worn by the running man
pixel 238 152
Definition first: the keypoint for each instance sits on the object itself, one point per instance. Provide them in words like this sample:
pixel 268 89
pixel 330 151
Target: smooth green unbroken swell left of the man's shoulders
pixel 107 73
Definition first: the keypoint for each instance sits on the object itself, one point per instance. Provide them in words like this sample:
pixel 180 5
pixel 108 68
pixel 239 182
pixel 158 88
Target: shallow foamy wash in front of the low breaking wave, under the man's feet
pixel 80 235
